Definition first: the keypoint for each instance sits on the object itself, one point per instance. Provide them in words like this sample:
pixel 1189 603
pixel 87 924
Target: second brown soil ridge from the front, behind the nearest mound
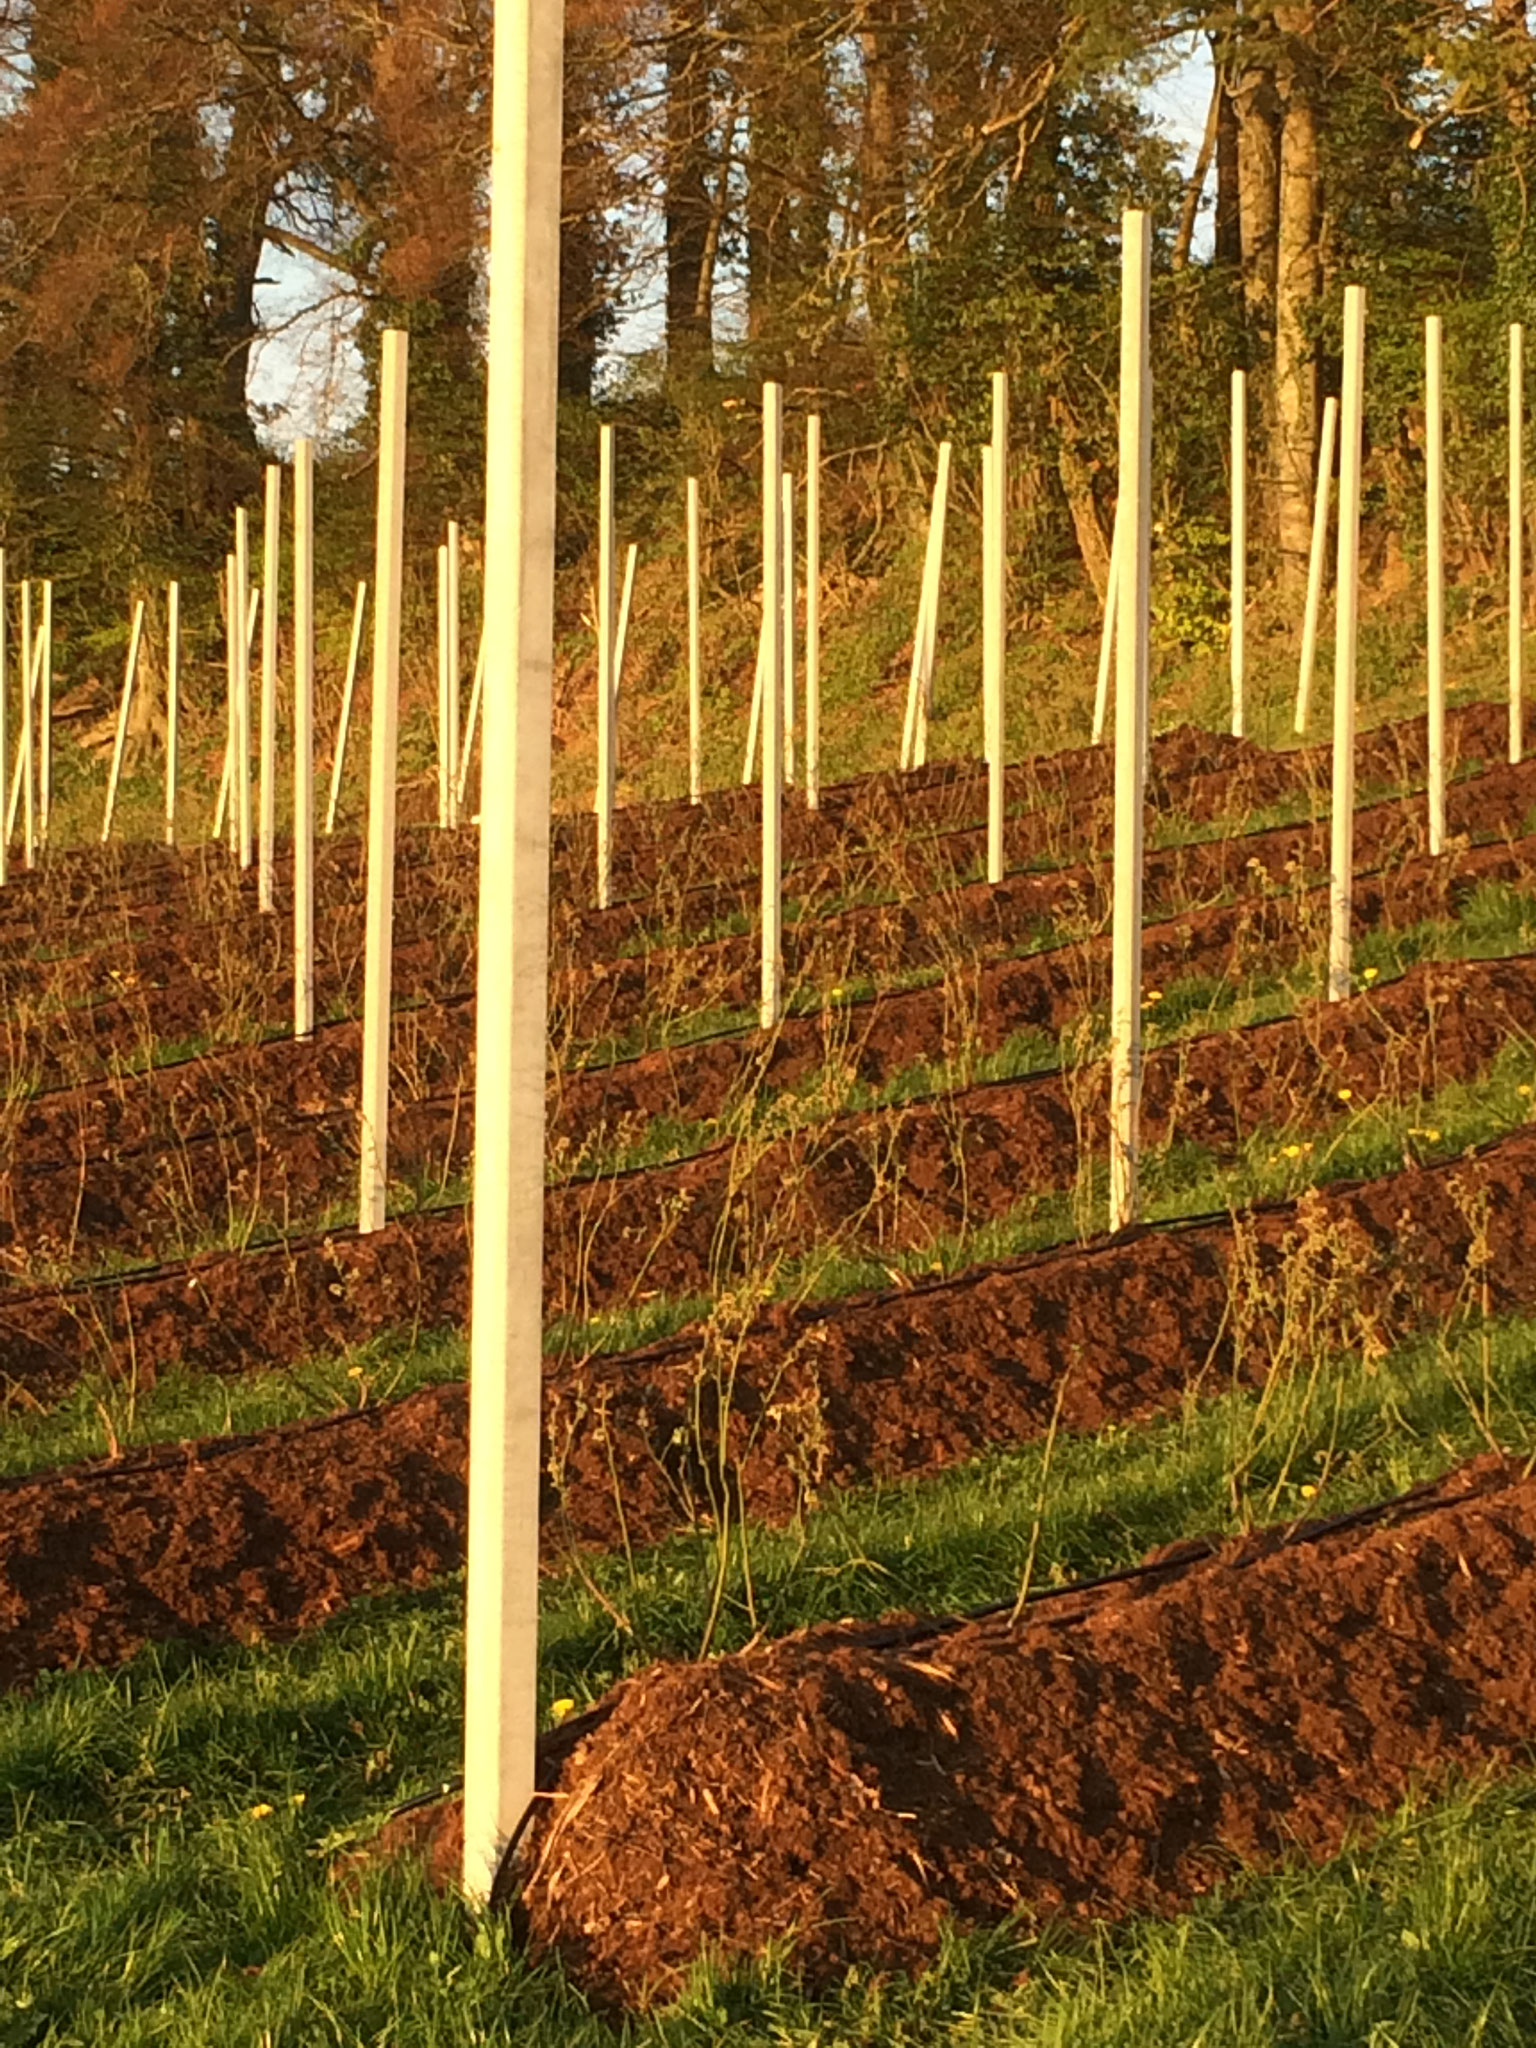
pixel 273 1533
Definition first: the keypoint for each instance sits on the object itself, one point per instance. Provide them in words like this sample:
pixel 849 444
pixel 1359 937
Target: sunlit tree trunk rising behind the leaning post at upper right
pixel 1293 431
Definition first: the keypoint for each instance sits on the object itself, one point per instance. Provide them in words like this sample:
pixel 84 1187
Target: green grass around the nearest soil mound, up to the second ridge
pixel 163 1865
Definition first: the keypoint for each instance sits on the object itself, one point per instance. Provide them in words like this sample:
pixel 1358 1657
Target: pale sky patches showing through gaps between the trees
pixel 308 376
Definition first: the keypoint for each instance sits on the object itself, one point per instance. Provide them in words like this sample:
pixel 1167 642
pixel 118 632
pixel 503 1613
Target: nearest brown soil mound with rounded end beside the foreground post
pixel 1123 1748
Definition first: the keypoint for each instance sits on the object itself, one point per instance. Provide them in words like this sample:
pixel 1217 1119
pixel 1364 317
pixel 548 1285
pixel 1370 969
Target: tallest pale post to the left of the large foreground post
pixel 378 953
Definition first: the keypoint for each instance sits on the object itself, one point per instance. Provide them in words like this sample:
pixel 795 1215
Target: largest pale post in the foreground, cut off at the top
pixel 507 1273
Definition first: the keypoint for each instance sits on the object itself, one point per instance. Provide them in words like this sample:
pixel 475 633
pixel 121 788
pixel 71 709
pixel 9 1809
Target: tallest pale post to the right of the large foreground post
pixel 1132 675
